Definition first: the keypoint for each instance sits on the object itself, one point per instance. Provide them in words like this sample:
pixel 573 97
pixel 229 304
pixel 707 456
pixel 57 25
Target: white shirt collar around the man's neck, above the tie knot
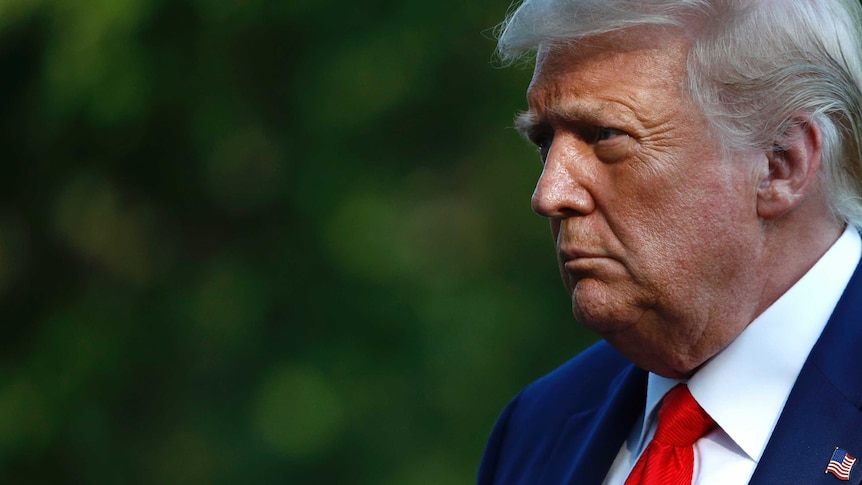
pixel 758 369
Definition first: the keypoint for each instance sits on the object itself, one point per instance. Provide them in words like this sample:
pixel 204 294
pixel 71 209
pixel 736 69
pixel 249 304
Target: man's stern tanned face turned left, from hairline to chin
pixel 656 231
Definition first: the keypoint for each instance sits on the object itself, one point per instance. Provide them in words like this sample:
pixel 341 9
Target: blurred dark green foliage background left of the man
pixel 247 241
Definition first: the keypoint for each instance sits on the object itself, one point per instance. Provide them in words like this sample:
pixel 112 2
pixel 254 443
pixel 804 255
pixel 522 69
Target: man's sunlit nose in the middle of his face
pixel 562 187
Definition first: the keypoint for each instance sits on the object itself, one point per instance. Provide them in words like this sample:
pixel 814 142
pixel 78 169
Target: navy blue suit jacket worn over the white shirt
pixel 568 427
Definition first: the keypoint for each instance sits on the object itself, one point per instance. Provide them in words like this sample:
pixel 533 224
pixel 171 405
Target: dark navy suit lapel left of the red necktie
pixel 592 439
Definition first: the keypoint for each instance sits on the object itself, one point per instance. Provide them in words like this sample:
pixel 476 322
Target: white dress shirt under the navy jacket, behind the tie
pixel 755 373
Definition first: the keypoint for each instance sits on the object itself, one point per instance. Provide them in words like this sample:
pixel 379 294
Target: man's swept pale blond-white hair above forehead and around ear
pixel 755 68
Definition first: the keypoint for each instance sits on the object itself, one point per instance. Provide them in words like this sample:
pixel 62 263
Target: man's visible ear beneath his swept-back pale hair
pixel 792 170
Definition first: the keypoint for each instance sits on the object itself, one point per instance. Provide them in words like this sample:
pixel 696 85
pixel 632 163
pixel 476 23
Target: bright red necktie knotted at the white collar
pixel 669 458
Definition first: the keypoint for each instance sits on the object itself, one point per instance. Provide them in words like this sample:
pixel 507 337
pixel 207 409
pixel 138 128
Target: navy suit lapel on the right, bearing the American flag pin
pixel 823 409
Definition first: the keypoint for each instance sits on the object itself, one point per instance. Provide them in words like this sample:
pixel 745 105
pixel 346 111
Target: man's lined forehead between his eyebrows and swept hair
pixel 626 72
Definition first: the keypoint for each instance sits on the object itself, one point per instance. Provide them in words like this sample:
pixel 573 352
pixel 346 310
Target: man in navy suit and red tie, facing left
pixel 702 175
